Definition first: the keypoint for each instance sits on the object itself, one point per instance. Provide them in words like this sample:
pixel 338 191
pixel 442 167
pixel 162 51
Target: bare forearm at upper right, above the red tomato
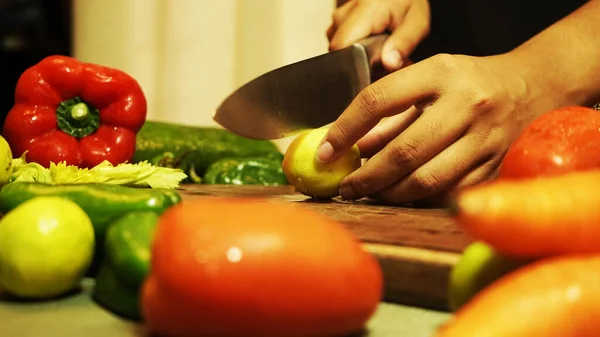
pixel 564 59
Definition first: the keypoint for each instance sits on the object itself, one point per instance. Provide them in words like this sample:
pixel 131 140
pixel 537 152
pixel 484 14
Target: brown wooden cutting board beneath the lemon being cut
pixel 415 247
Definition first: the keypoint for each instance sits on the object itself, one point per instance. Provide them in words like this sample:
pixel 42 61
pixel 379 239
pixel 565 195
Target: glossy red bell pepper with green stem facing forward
pixel 75 112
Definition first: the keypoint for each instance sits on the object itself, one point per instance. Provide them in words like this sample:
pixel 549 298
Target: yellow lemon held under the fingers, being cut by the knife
pixel 311 177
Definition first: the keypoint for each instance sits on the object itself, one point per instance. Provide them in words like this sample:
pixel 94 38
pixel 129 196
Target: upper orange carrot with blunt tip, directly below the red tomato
pixel 535 217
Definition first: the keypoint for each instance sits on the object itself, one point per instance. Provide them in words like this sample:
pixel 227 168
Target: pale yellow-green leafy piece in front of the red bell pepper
pixel 142 174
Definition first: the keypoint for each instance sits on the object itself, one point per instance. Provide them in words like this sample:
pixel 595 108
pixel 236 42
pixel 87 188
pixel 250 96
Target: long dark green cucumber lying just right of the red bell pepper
pixel 193 149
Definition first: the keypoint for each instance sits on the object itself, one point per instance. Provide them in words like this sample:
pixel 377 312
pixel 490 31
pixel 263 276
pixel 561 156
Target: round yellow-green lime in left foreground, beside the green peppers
pixel 46 246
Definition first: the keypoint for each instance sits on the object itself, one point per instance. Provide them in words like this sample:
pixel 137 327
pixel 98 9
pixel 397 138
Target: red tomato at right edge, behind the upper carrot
pixel 563 140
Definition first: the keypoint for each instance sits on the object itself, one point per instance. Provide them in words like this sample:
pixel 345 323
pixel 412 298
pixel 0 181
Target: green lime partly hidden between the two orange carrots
pixel 479 266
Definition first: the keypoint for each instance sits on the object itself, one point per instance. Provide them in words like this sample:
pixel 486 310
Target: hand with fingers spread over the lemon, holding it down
pixel 451 120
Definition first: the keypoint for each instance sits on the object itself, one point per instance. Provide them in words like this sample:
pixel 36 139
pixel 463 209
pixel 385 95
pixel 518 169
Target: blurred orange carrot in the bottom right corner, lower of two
pixel 553 297
